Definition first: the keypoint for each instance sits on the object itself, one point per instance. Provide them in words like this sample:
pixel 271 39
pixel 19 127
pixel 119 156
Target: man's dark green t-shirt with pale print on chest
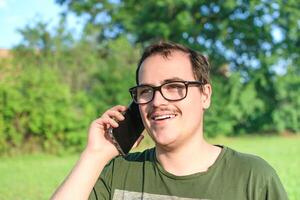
pixel 233 176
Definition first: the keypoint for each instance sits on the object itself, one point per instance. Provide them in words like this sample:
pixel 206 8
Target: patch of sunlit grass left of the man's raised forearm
pixel 32 177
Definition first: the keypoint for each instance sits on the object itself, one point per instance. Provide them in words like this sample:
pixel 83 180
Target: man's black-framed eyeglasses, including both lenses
pixel 171 91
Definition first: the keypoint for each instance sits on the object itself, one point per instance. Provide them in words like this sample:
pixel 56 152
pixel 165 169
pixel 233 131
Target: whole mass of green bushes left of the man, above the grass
pixel 48 99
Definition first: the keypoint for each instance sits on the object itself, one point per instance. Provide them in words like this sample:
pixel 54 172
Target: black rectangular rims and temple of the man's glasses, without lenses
pixel 158 88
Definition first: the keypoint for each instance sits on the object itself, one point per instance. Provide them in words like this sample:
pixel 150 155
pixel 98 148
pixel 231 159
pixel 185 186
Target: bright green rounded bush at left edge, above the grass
pixel 36 106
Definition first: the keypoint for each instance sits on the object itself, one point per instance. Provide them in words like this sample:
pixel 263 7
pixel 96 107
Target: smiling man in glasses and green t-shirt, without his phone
pixel 173 92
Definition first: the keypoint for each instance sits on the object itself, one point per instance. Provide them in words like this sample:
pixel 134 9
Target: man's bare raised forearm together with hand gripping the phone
pixel 99 151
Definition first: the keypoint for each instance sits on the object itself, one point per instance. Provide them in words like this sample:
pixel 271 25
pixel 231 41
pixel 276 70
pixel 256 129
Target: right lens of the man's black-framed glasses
pixel 174 90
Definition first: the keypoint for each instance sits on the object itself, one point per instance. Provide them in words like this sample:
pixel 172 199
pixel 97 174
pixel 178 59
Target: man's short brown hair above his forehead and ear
pixel 199 62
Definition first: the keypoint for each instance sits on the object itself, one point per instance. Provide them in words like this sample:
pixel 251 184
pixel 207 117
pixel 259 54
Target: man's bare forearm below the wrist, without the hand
pixel 83 177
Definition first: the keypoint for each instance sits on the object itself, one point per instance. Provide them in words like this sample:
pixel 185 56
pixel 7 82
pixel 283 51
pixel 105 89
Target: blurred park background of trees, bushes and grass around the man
pixel 54 82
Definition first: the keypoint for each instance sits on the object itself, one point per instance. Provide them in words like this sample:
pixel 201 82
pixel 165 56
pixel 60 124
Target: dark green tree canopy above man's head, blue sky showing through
pixel 242 28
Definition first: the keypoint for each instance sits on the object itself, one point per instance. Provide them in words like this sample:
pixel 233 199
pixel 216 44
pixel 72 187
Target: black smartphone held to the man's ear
pixel 128 131
